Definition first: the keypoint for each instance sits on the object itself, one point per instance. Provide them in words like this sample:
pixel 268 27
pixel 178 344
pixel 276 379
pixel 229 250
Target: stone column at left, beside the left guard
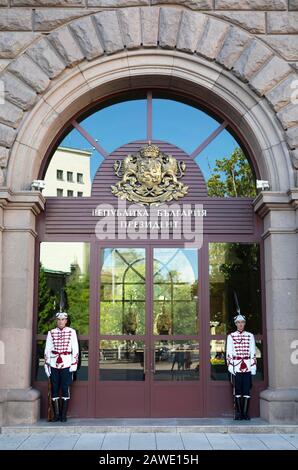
pixel 19 403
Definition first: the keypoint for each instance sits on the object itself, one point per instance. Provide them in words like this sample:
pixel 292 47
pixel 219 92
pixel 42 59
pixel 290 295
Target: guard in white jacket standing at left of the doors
pixel 61 360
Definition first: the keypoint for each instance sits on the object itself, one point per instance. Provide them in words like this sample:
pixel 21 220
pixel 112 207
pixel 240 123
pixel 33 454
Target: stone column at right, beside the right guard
pixel 279 403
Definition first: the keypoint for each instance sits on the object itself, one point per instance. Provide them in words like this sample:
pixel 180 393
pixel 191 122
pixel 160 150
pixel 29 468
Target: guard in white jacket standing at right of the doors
pixel 242 364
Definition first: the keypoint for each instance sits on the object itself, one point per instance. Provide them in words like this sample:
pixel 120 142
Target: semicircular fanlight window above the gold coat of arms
pixel 94 135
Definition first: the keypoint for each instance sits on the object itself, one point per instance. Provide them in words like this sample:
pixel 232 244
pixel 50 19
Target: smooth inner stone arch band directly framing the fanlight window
pixel 91 81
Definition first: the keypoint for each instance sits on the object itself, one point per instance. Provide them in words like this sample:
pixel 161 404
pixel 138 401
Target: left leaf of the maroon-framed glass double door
pixel 121 390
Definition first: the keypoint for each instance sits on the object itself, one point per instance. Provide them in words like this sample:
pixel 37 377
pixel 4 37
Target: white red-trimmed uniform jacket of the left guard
pixel 62 349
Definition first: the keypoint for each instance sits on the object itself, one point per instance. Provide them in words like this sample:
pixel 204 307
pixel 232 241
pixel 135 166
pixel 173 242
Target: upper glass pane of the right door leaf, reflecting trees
pixel 175 291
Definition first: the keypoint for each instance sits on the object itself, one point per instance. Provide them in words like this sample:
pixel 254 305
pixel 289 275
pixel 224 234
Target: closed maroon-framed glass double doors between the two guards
pixel 148 338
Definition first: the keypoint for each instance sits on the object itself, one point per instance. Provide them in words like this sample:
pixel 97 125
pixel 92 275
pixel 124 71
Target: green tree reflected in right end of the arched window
pixel 232 177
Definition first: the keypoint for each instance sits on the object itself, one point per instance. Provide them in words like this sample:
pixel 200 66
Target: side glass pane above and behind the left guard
pixel 64 285
